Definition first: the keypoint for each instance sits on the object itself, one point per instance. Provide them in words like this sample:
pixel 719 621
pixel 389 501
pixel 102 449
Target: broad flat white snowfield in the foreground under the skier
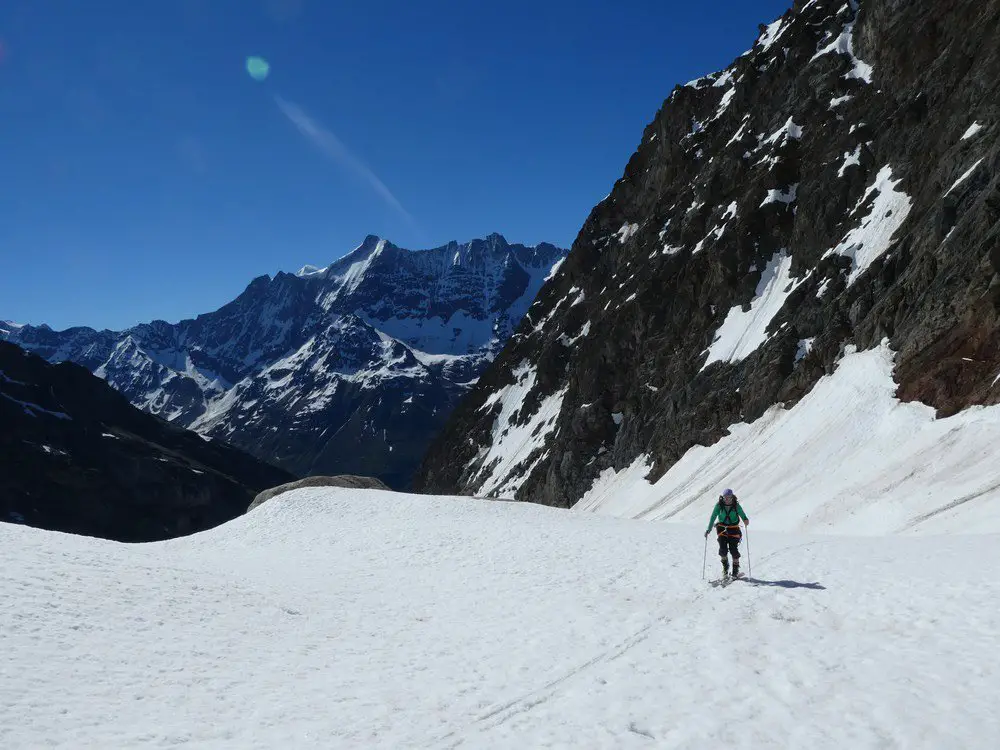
pixel 349 619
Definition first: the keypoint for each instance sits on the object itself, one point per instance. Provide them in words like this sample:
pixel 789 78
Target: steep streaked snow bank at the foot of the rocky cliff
pixel 849 457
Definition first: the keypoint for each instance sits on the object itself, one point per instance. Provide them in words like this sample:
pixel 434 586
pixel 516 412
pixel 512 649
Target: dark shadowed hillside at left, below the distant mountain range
pixel 75 456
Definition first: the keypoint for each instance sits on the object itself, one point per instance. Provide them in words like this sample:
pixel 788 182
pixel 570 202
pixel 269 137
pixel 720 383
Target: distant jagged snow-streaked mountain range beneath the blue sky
pixel 347 369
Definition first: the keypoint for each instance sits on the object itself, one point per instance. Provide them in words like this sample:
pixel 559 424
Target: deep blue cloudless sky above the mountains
pixel 144 174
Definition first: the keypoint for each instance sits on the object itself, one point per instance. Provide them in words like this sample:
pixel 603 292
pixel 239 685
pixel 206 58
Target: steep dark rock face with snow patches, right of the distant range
pixel 838 184
